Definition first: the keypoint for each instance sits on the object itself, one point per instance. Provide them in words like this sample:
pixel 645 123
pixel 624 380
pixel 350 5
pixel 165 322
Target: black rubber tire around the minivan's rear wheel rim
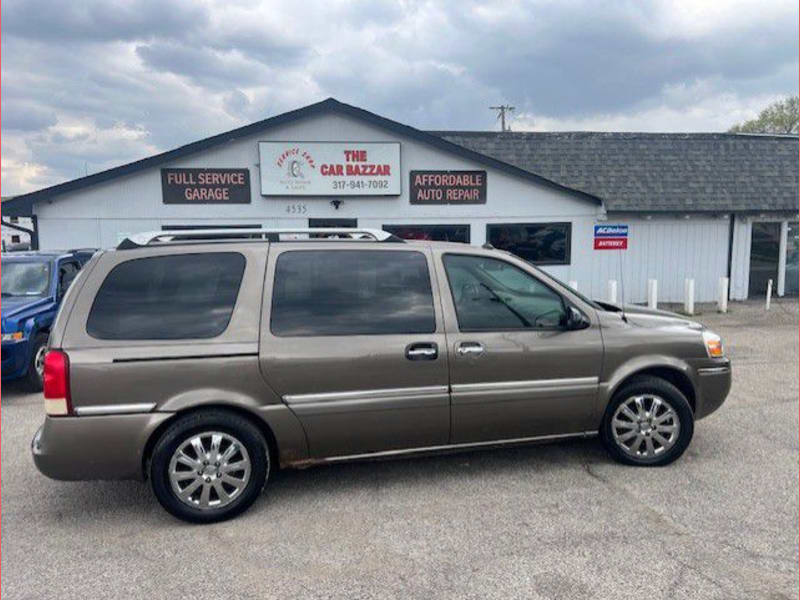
pixel 211 420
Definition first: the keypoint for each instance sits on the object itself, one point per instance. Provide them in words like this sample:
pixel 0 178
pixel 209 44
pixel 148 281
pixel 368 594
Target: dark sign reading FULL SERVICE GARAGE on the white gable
pixel 205 186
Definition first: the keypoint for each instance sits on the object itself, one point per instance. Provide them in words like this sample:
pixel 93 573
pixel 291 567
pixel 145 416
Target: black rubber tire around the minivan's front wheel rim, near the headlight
pixel 647 385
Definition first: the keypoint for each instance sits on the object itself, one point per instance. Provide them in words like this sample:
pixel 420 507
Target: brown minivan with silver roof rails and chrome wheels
pixel 203 361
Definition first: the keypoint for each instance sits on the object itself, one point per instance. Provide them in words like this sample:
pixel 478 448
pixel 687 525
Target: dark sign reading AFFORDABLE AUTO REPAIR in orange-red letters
pixel 448 187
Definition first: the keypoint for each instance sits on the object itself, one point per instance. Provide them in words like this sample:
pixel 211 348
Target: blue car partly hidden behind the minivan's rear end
pixel 33 284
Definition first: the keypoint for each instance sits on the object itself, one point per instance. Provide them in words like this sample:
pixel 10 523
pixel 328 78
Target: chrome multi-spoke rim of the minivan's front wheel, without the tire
pixel 645 426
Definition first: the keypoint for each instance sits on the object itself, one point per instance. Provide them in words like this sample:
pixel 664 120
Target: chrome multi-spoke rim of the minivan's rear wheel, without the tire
pixel 209 470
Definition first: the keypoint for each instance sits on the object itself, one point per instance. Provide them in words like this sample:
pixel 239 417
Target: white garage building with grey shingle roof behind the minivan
pixel 699 206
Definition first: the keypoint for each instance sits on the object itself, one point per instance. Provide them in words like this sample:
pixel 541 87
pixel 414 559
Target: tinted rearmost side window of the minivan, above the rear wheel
pixel 182 296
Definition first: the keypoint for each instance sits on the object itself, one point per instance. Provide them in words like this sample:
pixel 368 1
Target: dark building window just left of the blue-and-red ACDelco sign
pixel 538 243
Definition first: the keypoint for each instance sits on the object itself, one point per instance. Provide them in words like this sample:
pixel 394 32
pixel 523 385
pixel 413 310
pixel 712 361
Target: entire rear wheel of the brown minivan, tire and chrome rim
pixel 209 466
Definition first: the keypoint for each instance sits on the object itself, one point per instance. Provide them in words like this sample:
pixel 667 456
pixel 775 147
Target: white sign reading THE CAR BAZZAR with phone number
pixel 330 168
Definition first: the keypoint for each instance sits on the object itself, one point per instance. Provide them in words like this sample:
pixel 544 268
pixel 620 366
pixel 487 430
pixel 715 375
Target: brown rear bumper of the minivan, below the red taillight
pixel 101 447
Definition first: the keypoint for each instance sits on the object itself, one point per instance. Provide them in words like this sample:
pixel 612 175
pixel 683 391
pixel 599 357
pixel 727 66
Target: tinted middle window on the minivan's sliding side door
pixel 351 292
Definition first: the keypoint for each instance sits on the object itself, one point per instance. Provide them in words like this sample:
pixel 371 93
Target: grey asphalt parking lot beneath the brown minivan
pixel 555 521
